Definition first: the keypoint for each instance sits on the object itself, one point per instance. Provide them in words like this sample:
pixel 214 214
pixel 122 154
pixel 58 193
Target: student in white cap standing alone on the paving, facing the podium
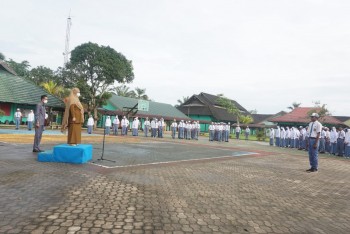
pixel 314 129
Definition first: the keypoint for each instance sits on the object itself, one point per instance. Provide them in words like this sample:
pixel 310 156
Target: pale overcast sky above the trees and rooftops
pixel 265 54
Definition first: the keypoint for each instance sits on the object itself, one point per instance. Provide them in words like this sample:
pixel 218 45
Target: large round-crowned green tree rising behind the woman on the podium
pixel 95 69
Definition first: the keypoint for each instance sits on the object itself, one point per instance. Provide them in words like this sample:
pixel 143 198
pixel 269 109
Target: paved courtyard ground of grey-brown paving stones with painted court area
pixel 267 192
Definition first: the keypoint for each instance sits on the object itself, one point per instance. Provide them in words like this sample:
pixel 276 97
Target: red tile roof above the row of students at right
pixel 301 115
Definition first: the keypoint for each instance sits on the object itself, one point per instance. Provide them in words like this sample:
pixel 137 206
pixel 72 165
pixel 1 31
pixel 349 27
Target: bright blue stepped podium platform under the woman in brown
pixel 67 154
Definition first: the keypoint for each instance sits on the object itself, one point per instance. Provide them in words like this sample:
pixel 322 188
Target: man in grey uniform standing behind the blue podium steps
pixel 39 123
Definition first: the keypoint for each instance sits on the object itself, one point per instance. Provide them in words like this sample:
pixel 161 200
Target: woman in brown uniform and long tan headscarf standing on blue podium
pixel 73 118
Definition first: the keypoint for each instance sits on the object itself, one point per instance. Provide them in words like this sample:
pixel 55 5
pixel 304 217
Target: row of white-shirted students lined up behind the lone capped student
pixel 334 141
